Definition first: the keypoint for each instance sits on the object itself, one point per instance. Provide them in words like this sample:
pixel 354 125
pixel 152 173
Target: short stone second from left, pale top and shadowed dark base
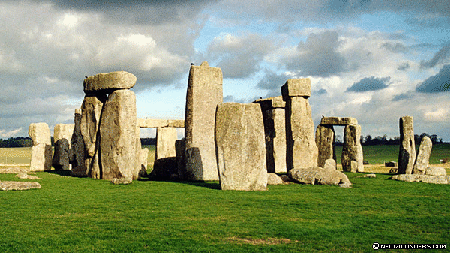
pixel 62 136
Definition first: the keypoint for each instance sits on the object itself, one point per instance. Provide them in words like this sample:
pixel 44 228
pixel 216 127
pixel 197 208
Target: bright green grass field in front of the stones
pixel 84 215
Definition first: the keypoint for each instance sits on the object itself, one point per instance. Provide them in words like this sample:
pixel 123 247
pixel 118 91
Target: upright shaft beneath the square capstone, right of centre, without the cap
pixel 301 145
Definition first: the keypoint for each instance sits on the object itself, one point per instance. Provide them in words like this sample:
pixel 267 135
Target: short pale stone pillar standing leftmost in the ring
pixel 41 151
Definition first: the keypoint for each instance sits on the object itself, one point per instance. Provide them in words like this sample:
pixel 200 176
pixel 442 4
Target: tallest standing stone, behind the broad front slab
pixel 204 93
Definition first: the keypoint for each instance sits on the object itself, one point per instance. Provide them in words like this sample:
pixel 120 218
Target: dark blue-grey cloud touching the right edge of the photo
pixel 437 83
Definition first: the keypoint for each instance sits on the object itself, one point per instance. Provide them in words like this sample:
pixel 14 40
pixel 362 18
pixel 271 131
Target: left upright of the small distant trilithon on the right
pixel 325 144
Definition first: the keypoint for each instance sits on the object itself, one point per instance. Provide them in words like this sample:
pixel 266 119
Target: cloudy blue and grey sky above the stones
pixel 374 60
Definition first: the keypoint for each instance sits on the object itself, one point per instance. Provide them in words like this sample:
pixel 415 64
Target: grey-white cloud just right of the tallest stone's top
pixel 239 57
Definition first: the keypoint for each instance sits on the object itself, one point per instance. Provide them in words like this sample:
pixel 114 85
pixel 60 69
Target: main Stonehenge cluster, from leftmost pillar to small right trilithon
pixel 241 145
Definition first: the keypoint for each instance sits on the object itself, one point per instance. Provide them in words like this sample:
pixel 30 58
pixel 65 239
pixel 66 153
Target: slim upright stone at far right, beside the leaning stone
pixel 407 153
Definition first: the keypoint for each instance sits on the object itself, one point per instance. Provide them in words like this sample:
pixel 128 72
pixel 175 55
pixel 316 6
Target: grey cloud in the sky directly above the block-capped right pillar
pixel 318 56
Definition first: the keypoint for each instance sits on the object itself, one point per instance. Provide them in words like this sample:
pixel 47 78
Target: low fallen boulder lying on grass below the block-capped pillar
pixel 318 175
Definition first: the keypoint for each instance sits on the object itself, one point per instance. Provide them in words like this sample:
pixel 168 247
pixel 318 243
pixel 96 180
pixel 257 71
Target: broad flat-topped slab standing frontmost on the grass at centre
pixel 241 153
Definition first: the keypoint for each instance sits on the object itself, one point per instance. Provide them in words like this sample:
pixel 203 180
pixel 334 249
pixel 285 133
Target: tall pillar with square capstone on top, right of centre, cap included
pixel 301 146
